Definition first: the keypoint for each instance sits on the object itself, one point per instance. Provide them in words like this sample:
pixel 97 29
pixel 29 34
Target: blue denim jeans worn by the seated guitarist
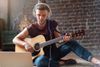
pixel 66 48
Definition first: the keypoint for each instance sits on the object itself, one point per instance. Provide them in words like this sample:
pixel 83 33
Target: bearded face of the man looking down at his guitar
pixel 41 16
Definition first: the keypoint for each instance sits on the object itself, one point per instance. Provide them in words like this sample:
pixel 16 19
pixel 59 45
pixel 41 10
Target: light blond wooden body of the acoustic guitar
pixel 32 41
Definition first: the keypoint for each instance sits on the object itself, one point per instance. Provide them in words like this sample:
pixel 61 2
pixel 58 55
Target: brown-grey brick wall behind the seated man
pixel 73 15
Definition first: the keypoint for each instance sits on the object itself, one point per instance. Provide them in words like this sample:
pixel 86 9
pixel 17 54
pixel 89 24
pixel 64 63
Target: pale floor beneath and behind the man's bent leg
pixel 80 62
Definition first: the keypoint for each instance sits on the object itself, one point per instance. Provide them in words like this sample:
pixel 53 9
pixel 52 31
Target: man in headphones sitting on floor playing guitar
pixel 48 28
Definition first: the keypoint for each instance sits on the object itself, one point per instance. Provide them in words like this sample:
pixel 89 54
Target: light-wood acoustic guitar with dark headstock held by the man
pixel 39 42
